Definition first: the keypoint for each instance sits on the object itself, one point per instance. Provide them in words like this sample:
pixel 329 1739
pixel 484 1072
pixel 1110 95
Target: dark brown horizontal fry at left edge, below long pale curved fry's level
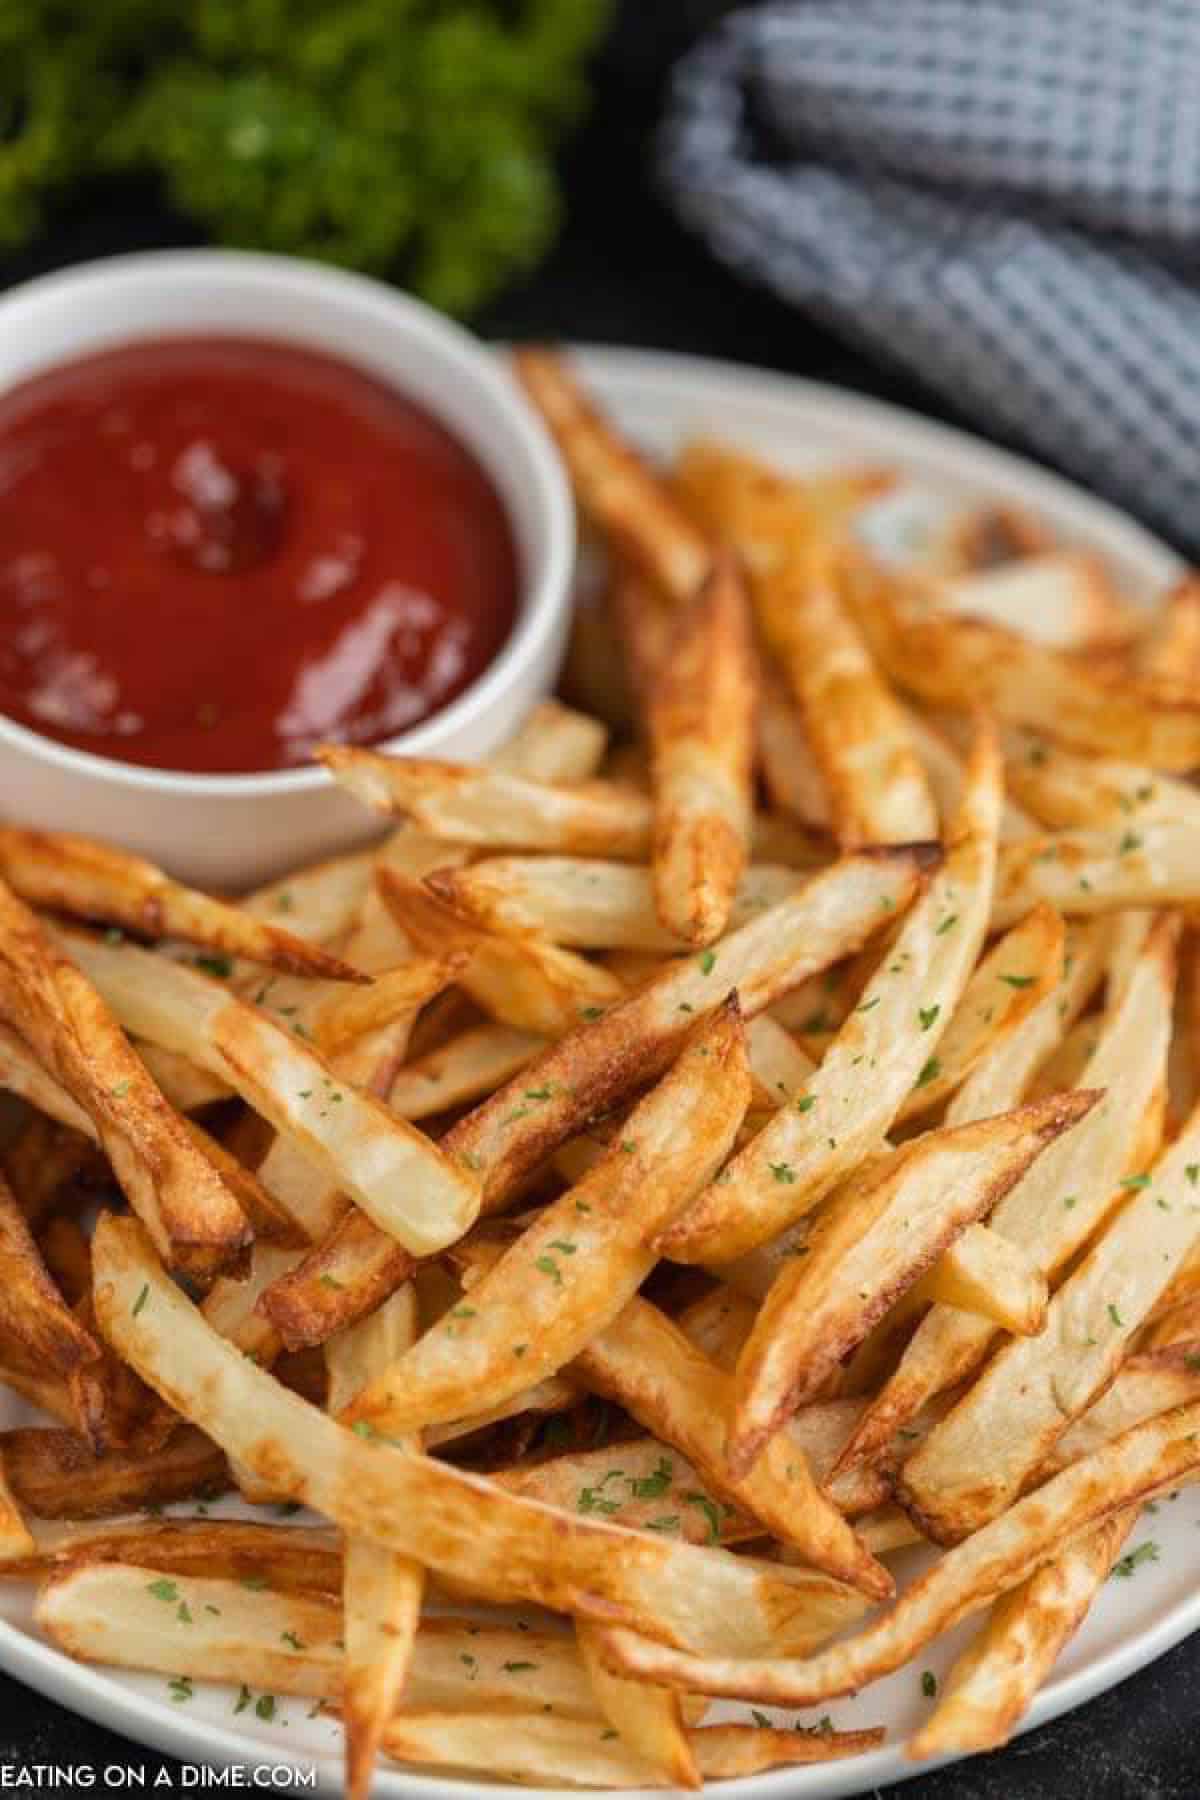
pixel 57 1475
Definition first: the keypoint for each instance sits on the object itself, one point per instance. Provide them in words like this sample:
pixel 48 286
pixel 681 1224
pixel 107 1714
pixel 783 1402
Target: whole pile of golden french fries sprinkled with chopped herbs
pixel 740 1133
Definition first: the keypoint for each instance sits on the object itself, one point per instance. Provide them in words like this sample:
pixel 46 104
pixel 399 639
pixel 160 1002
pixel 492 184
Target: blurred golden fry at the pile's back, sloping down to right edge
pixel 945 660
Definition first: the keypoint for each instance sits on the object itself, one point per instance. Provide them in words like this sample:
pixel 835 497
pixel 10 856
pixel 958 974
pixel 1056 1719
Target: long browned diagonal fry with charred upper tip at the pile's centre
pixel 604 1061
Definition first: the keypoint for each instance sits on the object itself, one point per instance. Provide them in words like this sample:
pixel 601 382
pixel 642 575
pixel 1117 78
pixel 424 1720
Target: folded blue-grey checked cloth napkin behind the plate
pixel 999 195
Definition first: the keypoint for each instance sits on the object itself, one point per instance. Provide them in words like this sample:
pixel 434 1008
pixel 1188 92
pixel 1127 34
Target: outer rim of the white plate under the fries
pixel 100 1696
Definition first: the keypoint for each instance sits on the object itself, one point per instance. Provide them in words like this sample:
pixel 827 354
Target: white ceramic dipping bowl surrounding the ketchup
pixel 231 832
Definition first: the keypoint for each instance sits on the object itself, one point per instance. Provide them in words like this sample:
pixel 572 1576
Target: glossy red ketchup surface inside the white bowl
pixel 217 553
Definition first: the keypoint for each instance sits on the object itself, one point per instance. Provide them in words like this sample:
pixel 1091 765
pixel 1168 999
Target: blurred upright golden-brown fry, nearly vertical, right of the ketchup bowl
pixel 701 726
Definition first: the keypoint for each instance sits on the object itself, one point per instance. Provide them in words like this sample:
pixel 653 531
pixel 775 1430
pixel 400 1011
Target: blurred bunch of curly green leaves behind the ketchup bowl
pixel 407 138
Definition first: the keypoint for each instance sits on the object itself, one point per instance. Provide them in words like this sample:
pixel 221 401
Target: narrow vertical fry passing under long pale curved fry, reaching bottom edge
pixel 382 1592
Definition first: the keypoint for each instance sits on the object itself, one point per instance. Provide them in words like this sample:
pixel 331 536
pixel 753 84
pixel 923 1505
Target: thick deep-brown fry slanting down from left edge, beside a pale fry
pixel 188 1209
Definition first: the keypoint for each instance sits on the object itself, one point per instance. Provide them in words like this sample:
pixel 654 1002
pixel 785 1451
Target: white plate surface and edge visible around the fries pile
pixel 663 400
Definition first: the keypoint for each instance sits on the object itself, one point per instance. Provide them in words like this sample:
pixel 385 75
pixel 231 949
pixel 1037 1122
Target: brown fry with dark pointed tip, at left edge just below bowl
pixel 98 883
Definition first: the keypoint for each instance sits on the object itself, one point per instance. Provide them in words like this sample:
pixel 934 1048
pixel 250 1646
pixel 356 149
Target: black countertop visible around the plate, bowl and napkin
pixel 627 274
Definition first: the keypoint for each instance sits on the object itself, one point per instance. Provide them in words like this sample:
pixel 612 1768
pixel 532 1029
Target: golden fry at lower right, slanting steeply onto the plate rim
pixel 990 1687
